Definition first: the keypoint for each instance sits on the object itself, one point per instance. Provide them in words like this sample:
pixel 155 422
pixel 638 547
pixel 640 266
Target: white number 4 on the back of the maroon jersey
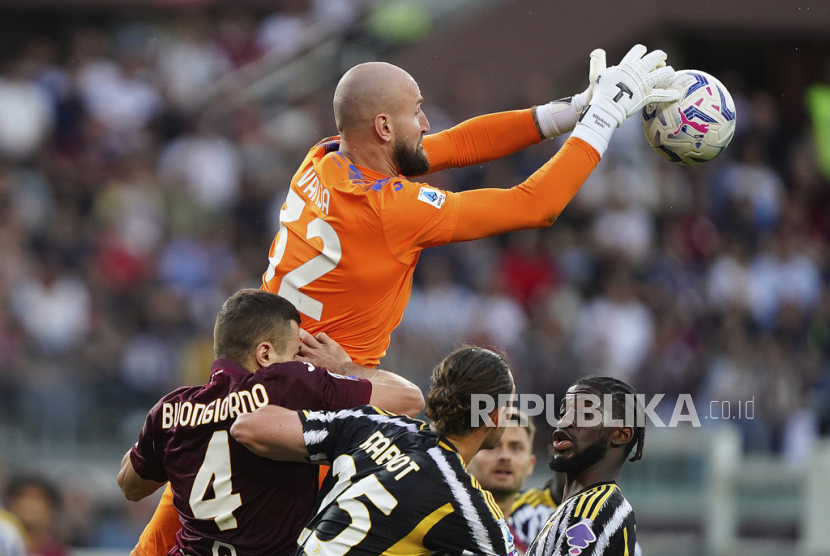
pixel 216 468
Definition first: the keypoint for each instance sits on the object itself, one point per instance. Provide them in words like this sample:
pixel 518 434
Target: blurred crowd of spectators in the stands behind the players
pixel 135 198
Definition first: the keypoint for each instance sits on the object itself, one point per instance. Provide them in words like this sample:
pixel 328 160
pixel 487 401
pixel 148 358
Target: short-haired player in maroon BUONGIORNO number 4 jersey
pixel 230 500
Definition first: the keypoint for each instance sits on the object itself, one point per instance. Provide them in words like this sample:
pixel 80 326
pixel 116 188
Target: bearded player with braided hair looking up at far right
pixel 594 518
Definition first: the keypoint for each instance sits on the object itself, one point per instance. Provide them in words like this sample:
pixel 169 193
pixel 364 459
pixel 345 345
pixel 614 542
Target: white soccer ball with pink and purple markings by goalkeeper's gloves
pixel 696 128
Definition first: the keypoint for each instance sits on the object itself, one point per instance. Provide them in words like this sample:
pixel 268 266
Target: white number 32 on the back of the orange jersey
pixel 310 270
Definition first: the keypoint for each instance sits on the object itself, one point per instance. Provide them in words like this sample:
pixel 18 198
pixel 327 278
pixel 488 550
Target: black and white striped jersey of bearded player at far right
pixel 598 521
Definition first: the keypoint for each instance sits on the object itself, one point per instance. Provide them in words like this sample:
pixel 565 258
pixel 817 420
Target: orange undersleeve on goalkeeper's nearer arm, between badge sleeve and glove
pixel 536 203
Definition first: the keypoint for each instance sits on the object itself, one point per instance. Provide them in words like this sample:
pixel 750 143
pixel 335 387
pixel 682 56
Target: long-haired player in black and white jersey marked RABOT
pixel 398 485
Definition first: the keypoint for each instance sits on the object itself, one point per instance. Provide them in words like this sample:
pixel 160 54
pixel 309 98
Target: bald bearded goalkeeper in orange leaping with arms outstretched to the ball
pixel 353 226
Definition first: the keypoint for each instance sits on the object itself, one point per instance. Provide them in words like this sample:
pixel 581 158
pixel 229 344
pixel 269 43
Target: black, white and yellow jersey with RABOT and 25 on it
pixel 395 488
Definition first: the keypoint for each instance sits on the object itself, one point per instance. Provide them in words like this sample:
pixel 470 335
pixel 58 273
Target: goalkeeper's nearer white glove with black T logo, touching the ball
pixel 623 90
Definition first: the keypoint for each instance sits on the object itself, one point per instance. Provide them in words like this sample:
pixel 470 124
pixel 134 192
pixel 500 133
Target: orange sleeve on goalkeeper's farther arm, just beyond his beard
pixel 481 139
